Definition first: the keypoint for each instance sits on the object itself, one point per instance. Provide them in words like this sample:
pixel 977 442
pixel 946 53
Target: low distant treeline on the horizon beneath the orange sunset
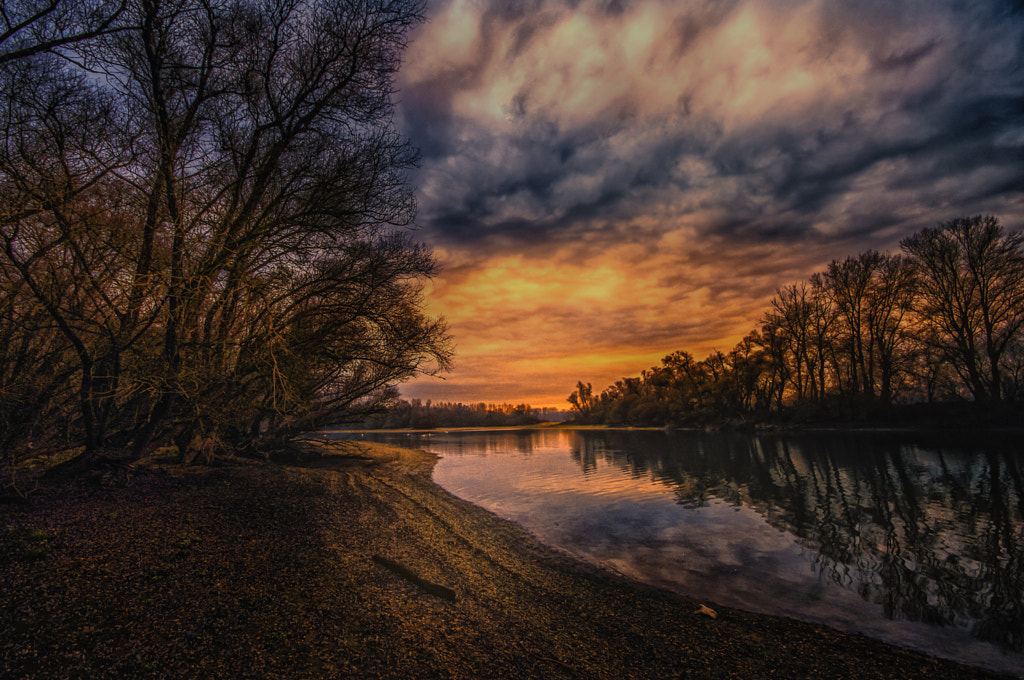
pixel 419 415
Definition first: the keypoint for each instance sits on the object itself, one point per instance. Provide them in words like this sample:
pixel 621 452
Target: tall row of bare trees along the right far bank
pixel 942 322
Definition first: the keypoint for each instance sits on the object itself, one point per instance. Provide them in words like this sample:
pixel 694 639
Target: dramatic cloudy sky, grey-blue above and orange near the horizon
pixel 608 182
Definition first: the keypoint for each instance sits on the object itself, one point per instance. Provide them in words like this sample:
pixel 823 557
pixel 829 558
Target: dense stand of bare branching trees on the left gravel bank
pixel 204 224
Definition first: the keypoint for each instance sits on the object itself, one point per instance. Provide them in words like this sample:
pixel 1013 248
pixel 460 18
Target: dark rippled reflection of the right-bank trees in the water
pixel 930 532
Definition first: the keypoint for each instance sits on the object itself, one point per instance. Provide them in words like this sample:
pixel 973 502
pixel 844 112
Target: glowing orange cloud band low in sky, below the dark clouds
pixel 529 327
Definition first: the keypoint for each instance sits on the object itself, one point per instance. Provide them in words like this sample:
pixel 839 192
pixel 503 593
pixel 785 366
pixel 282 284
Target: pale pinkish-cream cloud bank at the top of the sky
pixel 750 65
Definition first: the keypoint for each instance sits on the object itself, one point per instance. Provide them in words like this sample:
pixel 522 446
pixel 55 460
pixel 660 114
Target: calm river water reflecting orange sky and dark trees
pixel 916 542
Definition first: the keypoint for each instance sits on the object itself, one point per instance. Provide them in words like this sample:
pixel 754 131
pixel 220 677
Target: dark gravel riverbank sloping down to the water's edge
pixel 356 566
